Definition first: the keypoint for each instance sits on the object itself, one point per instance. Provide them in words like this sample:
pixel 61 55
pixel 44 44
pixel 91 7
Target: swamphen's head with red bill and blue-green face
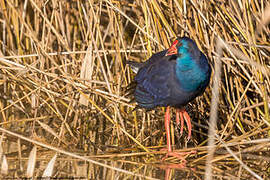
pixel 182 46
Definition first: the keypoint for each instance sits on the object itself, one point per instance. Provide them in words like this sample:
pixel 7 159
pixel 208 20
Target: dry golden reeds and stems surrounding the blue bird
pixel 62 88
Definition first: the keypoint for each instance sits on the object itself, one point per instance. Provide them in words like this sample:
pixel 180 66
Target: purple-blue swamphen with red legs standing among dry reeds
pixel 172 77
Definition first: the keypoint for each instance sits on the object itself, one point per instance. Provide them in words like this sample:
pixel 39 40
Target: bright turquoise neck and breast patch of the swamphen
pixel 189 73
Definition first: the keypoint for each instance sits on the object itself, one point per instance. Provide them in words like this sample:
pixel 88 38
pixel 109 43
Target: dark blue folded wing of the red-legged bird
pixel 152 81
